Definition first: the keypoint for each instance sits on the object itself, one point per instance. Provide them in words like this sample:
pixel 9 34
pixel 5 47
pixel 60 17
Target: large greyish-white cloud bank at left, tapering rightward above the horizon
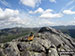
pixel 14 18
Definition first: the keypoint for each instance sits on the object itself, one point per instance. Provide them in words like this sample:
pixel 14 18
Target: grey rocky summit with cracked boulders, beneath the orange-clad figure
pixel 47 42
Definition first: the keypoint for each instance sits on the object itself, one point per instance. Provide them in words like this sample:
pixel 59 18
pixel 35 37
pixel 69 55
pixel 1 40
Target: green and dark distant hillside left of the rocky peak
pixel 11 33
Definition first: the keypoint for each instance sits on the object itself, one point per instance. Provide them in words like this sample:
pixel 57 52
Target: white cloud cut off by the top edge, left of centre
pixel 31 3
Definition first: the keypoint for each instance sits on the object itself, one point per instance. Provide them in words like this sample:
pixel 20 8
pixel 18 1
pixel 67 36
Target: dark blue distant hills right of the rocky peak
pixel 66 29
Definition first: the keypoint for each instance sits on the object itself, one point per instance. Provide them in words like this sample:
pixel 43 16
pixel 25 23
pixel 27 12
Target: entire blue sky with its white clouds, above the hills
pixel 36 13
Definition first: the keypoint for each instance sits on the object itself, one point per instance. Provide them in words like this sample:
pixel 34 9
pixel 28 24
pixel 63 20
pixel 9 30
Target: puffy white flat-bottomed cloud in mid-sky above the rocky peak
pixel 46 13
